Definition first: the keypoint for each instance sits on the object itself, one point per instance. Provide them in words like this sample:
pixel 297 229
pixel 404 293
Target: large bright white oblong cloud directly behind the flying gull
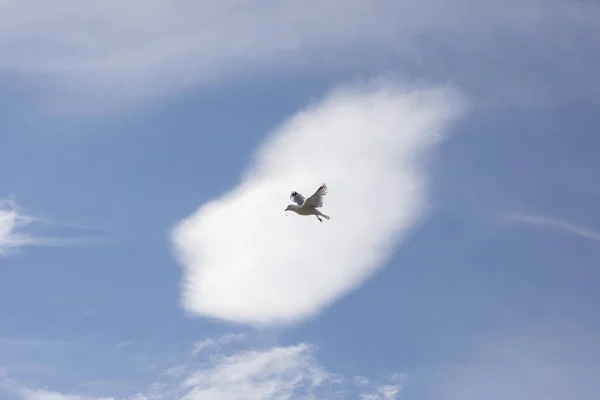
pixel 246 262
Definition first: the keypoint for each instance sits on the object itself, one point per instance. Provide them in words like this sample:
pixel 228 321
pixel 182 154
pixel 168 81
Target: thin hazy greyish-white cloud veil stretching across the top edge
pixel 141 48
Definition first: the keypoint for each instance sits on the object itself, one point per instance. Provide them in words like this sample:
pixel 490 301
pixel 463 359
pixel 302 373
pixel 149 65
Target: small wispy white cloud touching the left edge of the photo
pixel 14 235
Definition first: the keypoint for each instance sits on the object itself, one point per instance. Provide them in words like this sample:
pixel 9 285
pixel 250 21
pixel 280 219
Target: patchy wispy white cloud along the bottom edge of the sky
pixel 278 372
